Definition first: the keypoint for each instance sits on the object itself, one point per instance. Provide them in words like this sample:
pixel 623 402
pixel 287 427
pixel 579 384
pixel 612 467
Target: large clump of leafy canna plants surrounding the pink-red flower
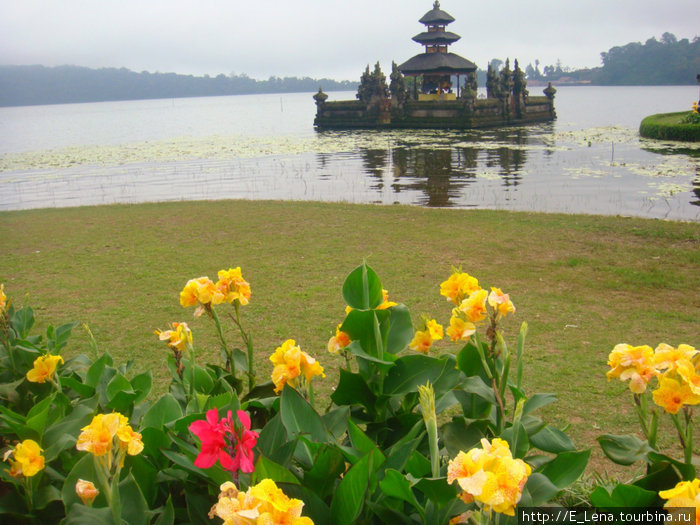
pixel 409 435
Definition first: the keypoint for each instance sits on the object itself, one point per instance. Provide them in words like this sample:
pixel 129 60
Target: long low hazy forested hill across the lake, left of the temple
pixel 31 85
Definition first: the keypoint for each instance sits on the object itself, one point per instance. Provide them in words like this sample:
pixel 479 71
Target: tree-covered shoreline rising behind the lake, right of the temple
pixel 666 62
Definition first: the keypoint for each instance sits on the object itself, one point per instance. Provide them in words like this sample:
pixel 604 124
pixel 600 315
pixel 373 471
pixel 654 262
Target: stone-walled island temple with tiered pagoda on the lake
pixel 421 93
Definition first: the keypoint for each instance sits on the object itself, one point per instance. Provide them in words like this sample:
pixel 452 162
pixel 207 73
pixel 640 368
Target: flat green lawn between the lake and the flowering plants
pixel 583 283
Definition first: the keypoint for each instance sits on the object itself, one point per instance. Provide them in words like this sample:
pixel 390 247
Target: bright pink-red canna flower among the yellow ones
pixel 227 440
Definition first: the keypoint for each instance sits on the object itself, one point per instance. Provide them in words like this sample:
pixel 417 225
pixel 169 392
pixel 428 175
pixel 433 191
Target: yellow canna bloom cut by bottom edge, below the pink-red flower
pixel 264 503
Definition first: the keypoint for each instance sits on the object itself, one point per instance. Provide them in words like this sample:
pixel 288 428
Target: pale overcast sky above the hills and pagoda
pixel 317 38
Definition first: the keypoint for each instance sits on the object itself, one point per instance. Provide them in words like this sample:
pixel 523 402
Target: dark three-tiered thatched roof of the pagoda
pixel 436 59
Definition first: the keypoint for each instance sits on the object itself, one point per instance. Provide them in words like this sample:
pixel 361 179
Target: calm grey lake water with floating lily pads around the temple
pixel 590 160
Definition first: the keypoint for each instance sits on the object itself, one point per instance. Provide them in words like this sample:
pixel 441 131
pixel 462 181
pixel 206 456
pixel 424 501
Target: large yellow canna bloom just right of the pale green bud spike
pixel 490 476
